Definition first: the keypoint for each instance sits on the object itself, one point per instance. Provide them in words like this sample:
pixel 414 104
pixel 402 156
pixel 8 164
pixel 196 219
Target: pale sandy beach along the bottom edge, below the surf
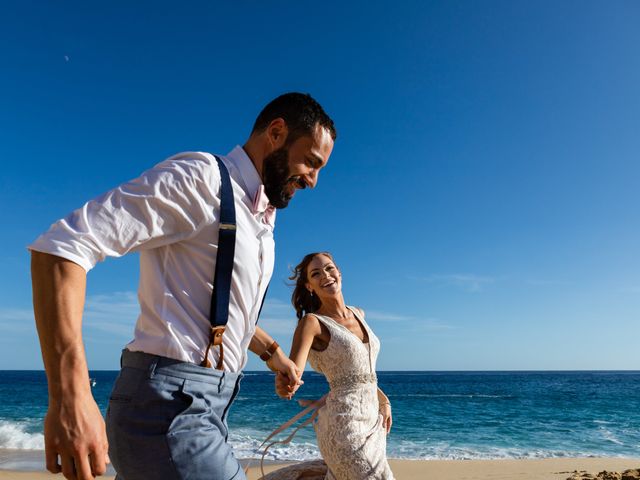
pixel 545 469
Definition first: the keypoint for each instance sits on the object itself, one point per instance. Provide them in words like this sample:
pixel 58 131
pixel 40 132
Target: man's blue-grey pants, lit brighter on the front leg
pixel 167 420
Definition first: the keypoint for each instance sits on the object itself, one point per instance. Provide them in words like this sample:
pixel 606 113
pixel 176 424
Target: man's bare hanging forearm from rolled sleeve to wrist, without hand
pixel 58 300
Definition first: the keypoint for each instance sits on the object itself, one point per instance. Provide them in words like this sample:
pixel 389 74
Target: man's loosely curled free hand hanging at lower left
pixel 75 439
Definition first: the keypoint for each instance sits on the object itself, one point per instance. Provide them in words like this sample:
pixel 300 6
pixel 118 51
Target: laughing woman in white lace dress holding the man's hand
pixel 352 424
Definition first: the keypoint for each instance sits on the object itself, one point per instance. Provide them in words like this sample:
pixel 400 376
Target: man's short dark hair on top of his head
pixel 300 112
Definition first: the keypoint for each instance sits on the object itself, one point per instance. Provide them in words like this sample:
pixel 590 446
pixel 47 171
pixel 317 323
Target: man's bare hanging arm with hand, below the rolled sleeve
pixel 74 428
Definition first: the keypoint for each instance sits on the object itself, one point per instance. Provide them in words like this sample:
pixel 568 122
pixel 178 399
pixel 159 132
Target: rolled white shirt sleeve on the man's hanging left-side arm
pixel 166 204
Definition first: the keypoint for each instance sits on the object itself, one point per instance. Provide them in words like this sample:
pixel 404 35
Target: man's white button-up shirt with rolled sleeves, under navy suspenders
pixel 170 215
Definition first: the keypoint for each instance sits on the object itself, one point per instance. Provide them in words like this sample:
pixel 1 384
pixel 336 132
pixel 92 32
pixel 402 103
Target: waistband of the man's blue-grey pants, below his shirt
pixel 156 364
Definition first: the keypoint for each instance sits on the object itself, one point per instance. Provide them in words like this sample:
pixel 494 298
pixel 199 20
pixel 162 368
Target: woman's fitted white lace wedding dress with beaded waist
pixel 351 437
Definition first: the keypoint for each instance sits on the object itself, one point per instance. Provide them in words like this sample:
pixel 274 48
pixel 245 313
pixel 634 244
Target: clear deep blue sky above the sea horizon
pixel 482 198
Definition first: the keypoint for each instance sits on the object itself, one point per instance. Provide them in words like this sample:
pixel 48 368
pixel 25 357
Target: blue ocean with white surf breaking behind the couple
pixel 436 415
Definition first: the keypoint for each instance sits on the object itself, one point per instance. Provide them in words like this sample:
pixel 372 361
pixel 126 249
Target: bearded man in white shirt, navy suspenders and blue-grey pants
pixel 167 412
